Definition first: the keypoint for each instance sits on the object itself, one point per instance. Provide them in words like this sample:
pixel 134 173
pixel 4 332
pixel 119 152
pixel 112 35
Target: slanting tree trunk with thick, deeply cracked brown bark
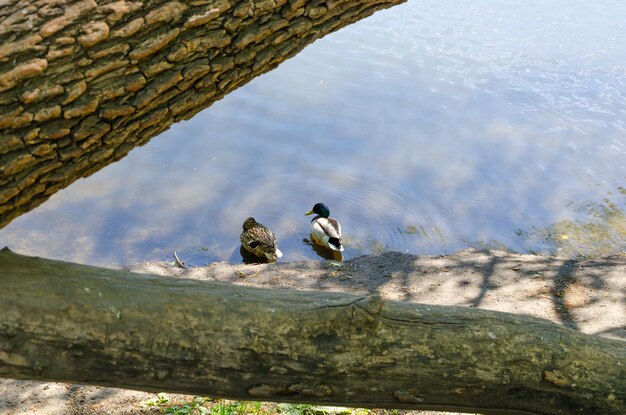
pixel 82 82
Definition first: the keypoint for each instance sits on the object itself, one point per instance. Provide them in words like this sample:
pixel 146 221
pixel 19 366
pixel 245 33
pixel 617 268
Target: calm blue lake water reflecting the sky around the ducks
pixel 427 128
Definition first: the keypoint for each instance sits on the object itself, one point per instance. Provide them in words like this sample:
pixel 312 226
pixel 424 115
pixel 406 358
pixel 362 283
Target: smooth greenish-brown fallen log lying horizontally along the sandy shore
pixel 72 323
